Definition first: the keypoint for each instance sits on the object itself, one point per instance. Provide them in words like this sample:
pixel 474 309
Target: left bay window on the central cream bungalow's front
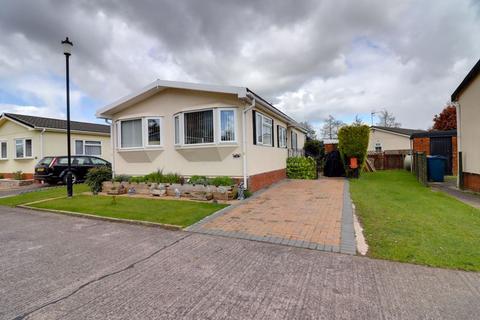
pixel 140 133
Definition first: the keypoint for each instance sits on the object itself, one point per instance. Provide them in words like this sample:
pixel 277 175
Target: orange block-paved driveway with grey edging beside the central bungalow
pixel 302 213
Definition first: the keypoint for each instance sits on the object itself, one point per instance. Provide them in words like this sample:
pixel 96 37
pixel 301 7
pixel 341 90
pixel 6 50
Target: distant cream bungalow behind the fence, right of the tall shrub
pixel 390 139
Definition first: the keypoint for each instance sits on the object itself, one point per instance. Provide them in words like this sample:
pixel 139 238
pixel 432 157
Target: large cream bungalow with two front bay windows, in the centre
pixel 198 129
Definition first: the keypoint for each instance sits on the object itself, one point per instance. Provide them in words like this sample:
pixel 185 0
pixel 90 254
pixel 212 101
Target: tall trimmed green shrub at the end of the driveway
pixel 353 143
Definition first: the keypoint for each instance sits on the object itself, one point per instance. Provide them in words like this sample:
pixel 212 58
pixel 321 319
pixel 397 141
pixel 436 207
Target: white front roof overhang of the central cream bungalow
pixel 160 85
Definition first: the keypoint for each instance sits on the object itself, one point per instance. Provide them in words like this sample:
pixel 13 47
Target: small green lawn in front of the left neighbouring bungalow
pixel 41 194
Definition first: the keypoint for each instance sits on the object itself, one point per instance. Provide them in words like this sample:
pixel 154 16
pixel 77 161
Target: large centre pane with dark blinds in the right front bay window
pixel 198 127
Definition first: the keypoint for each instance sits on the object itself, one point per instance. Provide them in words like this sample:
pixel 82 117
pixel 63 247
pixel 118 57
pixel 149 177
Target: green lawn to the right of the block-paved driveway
pixel 405 221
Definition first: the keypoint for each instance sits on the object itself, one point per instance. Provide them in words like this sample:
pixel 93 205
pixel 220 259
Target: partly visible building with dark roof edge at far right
pixel 467 100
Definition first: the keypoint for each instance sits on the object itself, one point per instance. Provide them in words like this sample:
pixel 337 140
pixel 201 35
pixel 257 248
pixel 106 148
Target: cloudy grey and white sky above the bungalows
pixel 310 58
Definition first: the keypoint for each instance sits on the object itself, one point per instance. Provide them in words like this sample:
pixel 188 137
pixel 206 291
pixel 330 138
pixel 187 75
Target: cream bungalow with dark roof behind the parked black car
pixel 24 140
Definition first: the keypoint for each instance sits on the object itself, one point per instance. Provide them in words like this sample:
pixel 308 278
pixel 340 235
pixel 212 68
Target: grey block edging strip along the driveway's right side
pixel 347 236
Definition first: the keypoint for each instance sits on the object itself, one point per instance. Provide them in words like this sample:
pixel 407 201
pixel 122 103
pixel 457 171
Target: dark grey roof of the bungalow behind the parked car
pixel 59 124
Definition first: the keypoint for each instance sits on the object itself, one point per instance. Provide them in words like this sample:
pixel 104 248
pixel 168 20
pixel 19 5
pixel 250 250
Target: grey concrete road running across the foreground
pixel 60 267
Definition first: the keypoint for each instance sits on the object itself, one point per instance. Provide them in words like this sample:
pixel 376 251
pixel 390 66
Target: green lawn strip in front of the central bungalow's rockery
pixel 174 212
